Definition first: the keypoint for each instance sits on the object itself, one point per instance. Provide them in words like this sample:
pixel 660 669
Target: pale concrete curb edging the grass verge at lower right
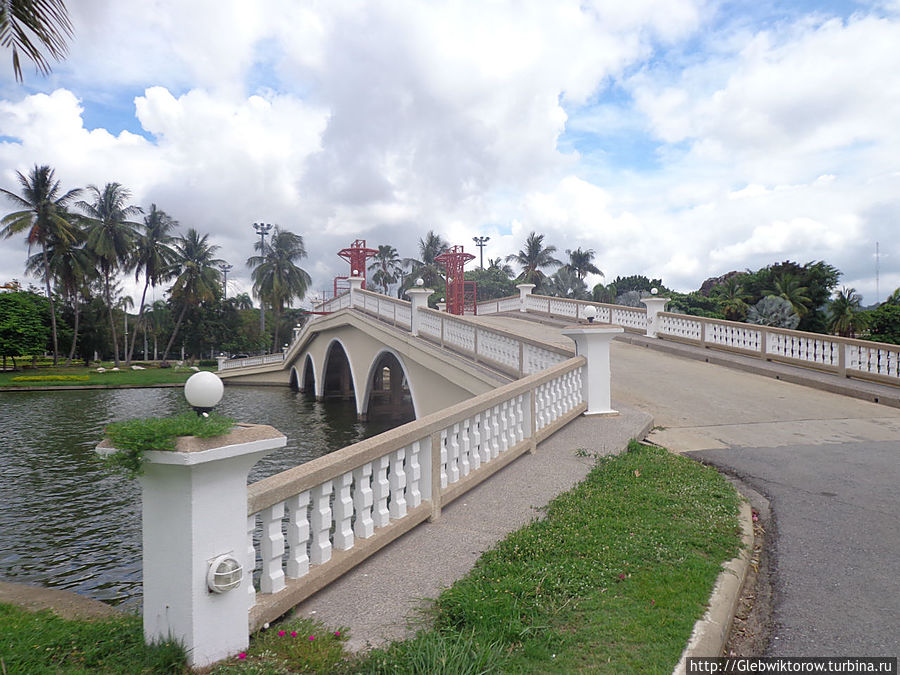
pixel 711 631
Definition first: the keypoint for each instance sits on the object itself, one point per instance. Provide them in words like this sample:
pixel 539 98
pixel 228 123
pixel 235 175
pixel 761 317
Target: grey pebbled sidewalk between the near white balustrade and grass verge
pixel 377 600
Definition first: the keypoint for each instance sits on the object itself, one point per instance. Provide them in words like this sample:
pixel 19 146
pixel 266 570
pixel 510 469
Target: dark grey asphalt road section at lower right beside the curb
pixel 836 571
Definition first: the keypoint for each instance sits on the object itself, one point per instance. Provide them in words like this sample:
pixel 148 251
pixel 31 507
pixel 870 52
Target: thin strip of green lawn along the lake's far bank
pixel 123 377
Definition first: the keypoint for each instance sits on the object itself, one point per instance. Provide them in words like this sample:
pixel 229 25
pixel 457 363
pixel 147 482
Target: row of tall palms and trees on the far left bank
pixel 82 248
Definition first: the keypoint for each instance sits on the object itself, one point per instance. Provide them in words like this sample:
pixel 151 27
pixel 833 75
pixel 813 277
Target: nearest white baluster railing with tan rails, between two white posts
pixel 318 520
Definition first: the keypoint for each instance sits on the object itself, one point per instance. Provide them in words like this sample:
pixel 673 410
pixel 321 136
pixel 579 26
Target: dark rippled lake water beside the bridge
pixel 65 522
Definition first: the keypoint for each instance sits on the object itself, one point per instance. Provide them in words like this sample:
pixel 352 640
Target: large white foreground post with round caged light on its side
pixel 194 510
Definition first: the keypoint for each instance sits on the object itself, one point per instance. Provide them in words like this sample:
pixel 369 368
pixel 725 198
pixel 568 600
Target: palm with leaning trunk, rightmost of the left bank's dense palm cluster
pixel 198 276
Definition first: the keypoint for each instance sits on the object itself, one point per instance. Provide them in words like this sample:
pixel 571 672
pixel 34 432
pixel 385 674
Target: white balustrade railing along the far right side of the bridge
pixel 847 357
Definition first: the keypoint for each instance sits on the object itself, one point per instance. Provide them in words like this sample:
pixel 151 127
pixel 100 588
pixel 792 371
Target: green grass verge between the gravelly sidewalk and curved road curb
pixel 612 579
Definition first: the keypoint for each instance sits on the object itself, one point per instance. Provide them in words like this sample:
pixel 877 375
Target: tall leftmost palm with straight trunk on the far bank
pixel 44 217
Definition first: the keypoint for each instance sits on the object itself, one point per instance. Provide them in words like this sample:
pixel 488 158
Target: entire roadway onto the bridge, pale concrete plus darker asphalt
pixel 828 463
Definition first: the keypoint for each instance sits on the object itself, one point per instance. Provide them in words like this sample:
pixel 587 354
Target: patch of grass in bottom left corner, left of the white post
pixel 38 643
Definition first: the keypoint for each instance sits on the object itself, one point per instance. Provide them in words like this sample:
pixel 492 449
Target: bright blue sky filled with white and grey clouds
pixel 679 139
